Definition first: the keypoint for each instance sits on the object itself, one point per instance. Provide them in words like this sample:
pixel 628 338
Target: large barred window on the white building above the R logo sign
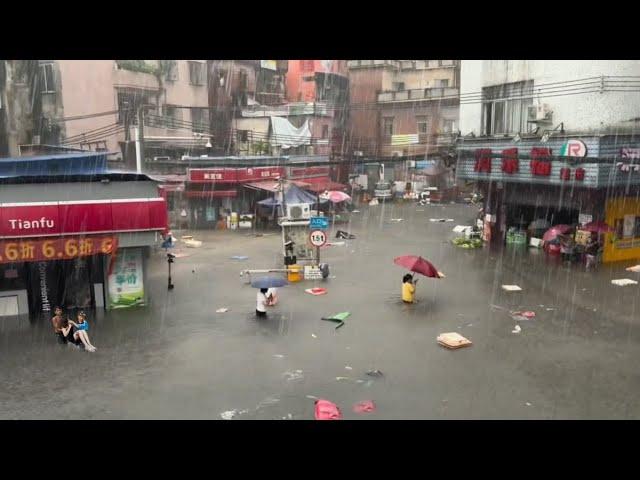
pixel 504 109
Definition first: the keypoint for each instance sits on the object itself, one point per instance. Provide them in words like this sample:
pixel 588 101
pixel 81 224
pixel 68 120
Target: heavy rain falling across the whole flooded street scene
pixel 319 239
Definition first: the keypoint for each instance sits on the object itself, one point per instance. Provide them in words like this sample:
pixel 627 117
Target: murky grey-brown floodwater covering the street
pixel 178 359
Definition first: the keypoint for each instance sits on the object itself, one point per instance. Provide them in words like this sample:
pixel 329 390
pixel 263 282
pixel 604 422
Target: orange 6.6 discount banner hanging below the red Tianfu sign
pixel 55 249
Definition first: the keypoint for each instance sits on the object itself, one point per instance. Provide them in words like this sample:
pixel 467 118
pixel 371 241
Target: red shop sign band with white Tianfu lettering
pixel 18 220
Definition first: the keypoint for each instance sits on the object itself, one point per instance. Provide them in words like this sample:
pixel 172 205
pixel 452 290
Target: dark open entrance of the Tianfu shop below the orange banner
pixel 67 283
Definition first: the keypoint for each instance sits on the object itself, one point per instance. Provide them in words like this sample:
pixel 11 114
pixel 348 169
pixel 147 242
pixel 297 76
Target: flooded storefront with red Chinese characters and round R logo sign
pixel 527 187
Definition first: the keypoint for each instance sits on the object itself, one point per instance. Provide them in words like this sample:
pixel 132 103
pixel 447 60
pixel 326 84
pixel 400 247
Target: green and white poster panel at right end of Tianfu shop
pixel 125 283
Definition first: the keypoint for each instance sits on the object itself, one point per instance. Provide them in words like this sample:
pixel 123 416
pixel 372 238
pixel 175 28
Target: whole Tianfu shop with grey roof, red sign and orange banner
pixel 78 241
